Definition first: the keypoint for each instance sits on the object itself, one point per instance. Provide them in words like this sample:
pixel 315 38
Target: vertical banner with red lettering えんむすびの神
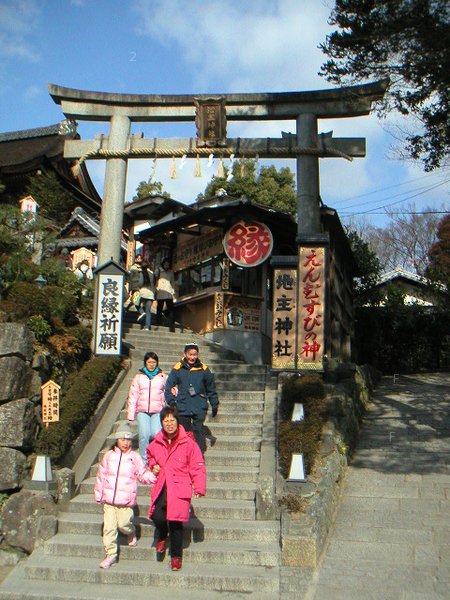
pixel 311 308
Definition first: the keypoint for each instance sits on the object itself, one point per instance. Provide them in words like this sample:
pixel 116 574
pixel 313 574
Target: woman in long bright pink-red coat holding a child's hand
pixel 175 457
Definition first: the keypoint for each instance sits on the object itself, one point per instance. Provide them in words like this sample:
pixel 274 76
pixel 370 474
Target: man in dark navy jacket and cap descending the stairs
pixel 196 387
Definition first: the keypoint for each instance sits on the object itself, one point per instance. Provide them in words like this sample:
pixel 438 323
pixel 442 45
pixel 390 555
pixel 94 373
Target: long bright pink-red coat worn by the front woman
pixel 182 471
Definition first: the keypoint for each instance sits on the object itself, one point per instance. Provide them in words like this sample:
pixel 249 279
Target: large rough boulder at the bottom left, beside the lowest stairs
pixel 21 518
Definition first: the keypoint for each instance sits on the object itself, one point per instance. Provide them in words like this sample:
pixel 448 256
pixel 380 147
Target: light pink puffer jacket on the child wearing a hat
pixel 117 477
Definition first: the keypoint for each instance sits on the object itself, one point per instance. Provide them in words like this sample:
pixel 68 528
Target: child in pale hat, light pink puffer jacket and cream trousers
pixel 116 488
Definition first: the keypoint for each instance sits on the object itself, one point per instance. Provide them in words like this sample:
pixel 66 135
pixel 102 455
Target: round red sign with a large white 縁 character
pixel 248 243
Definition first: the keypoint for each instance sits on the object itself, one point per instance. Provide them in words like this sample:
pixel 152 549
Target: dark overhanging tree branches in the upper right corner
pixel 407 41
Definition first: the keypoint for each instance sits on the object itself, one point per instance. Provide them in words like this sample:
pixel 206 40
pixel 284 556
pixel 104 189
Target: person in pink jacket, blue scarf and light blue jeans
pixel 146 400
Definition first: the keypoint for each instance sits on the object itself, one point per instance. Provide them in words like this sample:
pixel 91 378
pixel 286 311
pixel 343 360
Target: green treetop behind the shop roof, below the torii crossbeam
pixel 269 187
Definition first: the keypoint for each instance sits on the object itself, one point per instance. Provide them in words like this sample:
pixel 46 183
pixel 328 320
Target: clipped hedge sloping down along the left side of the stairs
pixel 78 403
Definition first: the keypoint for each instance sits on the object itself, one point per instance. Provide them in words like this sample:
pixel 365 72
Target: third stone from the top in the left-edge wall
pixel 18 424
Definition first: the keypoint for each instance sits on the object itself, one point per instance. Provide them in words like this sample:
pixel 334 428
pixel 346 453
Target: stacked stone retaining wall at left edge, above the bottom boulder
pixel 20 397
